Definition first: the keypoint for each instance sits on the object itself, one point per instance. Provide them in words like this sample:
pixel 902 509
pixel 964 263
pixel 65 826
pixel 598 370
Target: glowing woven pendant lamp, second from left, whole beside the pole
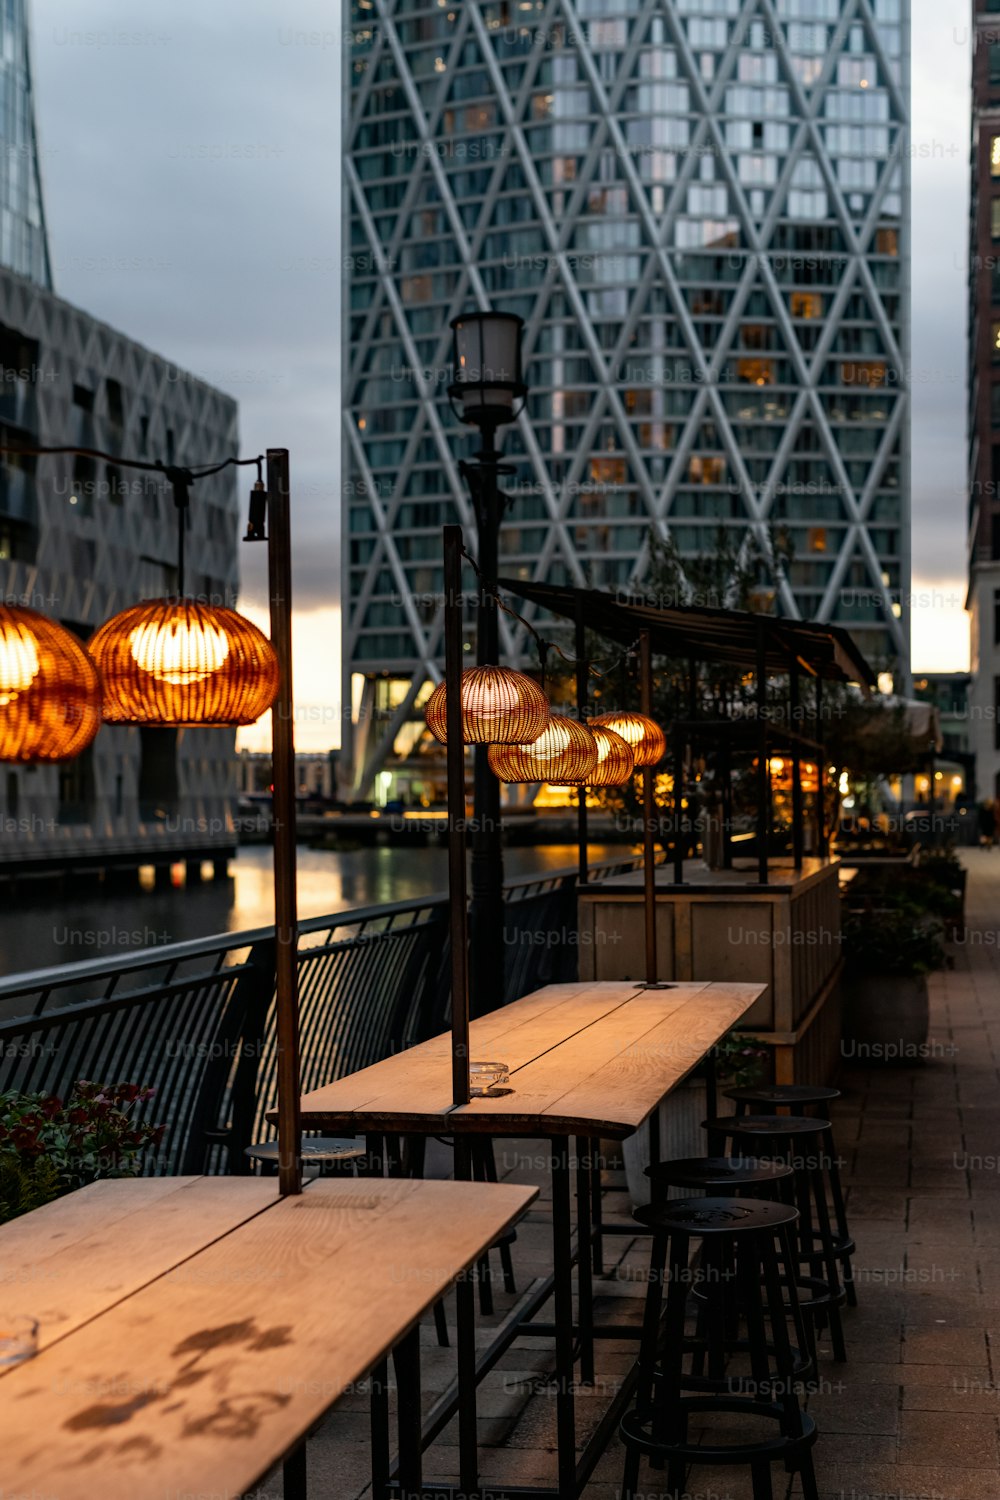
pixel 178 662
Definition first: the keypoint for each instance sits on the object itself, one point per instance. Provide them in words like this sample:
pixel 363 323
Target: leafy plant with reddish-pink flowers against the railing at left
pixel 50 1147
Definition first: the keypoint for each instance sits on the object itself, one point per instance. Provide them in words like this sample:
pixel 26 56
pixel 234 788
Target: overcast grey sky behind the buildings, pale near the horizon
pixel 199 142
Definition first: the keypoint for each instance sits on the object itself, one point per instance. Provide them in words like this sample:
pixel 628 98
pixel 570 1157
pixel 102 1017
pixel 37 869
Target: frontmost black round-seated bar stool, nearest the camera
pixel 746 1241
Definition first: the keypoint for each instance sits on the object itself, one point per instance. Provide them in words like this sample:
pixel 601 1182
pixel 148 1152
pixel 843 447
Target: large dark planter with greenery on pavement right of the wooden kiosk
pixel 888 955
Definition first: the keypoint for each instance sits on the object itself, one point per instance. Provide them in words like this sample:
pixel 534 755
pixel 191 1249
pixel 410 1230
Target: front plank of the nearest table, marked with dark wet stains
pixel 205 1379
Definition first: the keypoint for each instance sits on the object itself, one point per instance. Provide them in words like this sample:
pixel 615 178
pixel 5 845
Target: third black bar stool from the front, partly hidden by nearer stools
pixel 803 1142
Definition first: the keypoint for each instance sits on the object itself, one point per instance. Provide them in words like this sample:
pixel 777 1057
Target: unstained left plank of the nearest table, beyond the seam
pixel 76 1258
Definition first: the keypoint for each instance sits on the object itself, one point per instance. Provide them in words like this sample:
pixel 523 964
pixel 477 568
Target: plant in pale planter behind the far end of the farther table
pixel 740 1061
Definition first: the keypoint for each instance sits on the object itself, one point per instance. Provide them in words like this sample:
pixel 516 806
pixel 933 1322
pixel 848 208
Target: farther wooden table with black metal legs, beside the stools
pixel 587 1060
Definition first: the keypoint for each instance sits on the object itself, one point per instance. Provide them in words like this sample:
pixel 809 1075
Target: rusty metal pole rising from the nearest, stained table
pixel 280 572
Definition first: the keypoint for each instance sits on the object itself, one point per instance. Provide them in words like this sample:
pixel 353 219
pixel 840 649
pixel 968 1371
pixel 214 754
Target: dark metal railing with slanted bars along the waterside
pixel 196 1021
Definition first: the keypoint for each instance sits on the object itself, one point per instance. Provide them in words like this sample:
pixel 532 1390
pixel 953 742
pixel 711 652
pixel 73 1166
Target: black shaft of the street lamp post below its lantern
pixel 487 916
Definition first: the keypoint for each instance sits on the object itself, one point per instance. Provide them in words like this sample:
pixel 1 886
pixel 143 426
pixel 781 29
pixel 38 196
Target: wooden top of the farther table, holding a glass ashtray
pixel 585 1060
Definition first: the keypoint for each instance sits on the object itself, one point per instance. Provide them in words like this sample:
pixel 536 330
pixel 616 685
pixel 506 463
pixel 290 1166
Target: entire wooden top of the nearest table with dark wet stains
pixel 194 1330
